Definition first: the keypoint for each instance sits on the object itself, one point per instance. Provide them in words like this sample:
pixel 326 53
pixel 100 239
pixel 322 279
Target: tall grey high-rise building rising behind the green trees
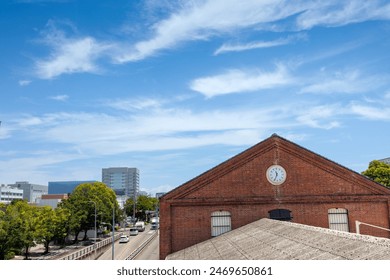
pixel 123 180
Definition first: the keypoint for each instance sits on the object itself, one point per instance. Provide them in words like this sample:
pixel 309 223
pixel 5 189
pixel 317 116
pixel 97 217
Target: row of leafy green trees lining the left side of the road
pixel 23 226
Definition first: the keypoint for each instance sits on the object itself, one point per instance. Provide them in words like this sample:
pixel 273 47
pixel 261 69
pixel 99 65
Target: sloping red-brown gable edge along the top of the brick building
pixel 278 143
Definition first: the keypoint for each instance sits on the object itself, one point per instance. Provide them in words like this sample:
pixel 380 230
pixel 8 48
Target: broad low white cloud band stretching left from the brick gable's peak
pixel 148 130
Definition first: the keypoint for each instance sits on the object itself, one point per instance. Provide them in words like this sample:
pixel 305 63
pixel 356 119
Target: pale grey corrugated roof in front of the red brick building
pixel 278 240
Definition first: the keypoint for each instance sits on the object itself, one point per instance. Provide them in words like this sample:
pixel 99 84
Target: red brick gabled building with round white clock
pixel 274 179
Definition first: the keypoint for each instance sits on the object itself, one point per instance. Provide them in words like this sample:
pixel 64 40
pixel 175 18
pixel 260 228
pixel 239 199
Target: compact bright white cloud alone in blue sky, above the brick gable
pixel 236 81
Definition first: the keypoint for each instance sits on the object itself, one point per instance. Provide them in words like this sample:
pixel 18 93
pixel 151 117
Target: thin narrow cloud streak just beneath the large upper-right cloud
pixel 257 45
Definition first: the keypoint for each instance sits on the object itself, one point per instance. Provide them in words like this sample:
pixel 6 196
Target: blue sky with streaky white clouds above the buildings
pixel 176 87
